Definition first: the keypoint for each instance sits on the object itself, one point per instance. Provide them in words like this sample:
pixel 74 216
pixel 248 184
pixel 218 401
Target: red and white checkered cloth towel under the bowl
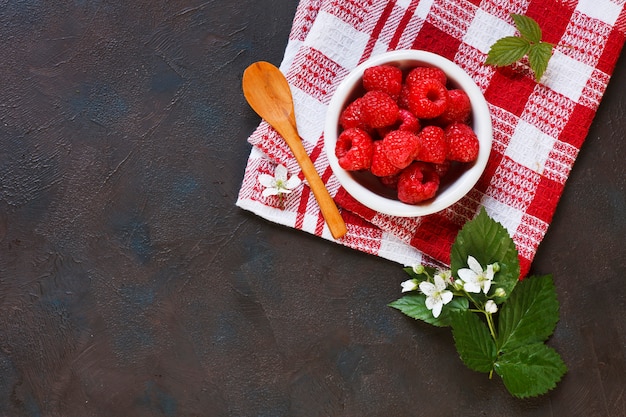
pixel 538 127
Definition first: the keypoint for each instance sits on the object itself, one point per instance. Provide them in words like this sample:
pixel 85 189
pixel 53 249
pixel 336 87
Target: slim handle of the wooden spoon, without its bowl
pixel 327 205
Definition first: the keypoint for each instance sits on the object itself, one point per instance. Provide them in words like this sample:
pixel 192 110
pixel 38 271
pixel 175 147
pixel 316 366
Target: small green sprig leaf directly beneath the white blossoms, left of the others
pixel 473 341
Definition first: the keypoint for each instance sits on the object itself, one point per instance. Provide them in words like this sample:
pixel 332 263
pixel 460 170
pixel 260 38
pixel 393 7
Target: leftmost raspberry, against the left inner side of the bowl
pixel 354 150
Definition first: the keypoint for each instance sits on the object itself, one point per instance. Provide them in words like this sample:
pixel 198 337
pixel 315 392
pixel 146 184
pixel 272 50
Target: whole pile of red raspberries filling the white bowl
pixel 407 128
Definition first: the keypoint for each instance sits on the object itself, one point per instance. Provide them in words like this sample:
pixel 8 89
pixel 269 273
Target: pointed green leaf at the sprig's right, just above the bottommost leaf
pixel 530 314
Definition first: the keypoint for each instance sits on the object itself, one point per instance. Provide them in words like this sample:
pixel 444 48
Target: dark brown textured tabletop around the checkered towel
pixel 131 284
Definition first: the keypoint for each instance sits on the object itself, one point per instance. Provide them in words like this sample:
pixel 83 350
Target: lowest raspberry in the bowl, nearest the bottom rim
pixel 418 182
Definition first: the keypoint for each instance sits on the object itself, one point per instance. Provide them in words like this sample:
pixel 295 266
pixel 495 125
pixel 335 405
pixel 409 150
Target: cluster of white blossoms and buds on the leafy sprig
pixel 474 279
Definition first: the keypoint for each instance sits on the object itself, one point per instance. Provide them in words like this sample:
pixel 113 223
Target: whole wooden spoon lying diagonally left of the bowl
pixel 269 95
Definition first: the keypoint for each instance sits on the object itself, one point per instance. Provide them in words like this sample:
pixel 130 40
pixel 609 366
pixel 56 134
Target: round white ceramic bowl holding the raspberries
pixel 366 189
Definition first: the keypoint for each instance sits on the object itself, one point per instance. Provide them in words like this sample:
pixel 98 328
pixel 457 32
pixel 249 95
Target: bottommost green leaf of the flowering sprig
pixel 530 370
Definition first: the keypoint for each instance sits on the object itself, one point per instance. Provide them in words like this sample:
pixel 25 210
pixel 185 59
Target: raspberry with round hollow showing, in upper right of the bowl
pixel 427 99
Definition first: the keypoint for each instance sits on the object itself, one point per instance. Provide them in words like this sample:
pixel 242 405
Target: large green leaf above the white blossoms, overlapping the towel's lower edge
pixel 487 241
